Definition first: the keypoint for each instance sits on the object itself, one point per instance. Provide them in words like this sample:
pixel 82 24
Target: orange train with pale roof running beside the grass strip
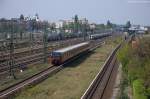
pixel 60 56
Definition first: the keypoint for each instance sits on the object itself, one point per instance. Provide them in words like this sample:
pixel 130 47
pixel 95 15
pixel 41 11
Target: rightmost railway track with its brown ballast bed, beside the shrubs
pixel 101 86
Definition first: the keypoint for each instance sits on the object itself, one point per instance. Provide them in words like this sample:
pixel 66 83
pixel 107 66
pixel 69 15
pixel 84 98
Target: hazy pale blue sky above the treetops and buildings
pixel 98 11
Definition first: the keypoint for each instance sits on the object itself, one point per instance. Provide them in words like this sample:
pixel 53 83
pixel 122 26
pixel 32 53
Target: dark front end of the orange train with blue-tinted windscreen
pixel 56 58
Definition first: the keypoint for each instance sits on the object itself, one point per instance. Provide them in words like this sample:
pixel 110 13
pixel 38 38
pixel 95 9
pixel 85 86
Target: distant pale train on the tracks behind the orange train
pixel 98 36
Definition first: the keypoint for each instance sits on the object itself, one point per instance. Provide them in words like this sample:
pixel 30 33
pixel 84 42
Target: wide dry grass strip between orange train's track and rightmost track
pixel 72 81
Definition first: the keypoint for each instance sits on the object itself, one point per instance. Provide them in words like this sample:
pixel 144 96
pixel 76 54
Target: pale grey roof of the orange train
pixel 71 47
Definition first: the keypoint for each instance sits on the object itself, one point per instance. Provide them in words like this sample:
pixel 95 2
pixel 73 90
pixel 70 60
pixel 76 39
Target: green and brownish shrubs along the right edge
pixel 136 67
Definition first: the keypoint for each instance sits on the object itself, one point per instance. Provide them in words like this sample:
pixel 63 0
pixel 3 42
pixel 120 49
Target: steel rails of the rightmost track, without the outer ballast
pixel 98 82
